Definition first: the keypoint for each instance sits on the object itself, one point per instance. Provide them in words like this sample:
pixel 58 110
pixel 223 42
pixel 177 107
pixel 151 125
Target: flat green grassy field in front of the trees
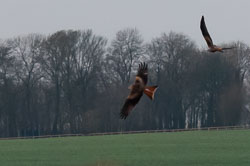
pixel 190 148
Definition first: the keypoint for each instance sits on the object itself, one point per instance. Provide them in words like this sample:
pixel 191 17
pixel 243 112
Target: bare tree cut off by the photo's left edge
pixel 8 96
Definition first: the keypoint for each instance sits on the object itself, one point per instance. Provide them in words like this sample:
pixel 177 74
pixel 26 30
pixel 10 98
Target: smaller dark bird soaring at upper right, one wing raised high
pixel 212 47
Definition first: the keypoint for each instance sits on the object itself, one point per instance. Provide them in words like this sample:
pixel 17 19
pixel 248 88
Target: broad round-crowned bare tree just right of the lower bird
pixel 171 55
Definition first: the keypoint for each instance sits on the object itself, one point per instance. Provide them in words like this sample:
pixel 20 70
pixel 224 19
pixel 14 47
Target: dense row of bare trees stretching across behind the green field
pixel 76 82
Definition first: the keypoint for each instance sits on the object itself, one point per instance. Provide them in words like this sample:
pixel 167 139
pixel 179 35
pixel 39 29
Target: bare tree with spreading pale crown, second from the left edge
pixel 28 73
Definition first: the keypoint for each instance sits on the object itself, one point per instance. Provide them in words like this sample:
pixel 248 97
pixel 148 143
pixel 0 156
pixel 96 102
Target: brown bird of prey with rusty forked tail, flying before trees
pixel 137 89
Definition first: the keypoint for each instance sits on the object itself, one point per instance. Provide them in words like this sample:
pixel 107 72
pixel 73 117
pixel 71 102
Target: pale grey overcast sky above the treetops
pixel 227 20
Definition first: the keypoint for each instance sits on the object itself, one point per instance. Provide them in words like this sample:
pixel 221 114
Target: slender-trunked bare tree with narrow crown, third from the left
pixel 54 55
